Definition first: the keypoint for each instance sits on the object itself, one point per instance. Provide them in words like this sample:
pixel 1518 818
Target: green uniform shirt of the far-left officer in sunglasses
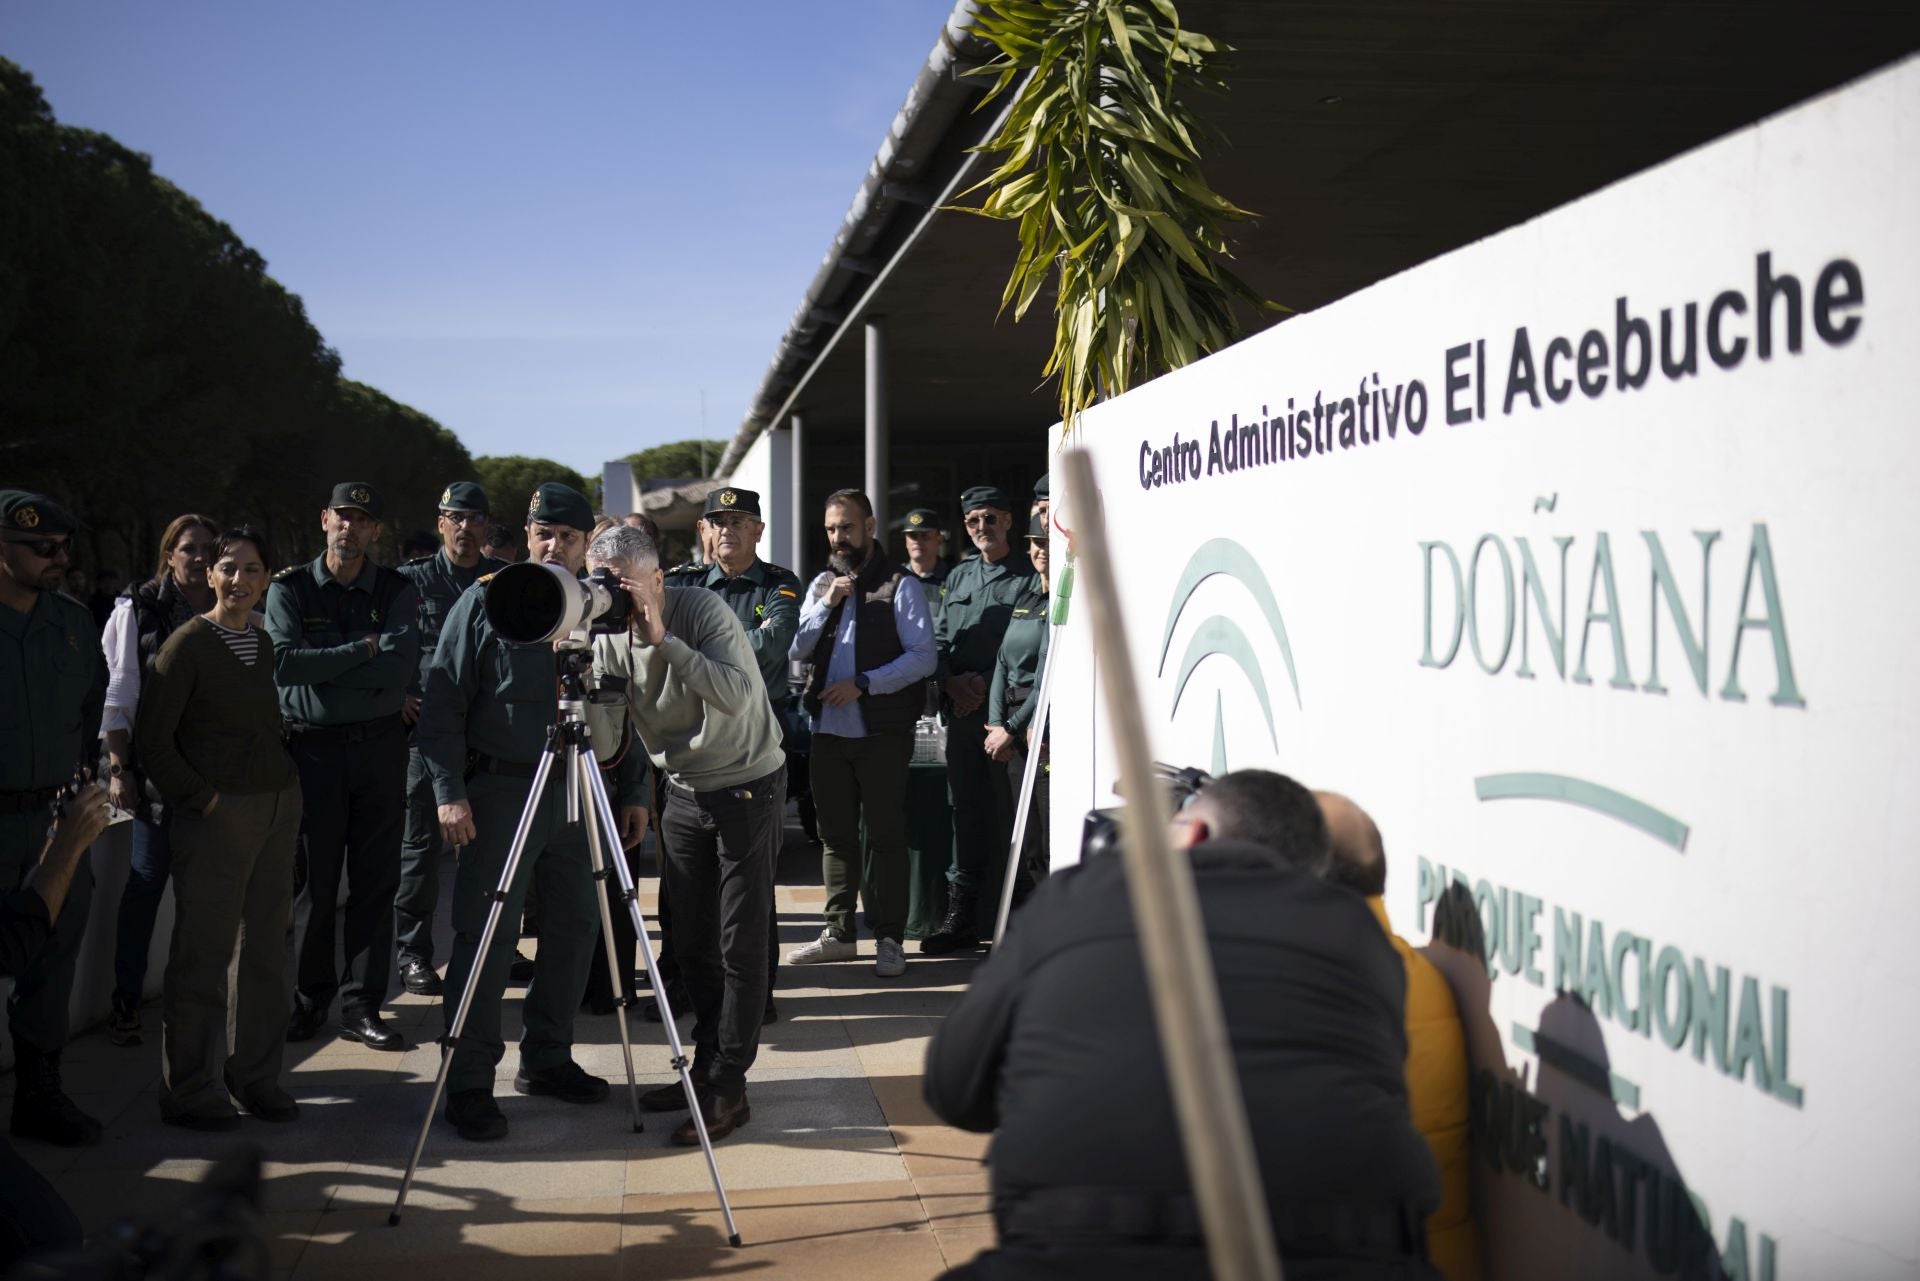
pixel 53 687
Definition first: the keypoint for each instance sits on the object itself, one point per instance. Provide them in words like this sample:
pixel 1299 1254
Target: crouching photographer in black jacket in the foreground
pixel 1055 1050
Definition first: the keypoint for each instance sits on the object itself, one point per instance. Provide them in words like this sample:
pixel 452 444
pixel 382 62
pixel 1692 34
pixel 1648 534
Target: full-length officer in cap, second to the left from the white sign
pixel 978 604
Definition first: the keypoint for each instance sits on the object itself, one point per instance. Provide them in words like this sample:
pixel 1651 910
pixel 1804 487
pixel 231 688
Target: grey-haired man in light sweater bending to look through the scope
pixel 700 706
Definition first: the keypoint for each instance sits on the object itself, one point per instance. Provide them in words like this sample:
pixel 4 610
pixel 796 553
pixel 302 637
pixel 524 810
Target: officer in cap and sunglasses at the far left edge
pixel 53 689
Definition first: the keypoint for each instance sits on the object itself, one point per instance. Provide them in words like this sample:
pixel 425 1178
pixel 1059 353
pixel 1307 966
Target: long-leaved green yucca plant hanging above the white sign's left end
pixel 1099 166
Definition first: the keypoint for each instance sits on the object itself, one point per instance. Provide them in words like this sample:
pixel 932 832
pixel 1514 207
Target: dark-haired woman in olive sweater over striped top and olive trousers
pixel 210 738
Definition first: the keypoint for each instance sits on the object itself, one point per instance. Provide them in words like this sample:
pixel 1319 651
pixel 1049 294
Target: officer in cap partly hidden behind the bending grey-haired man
pixel 767 600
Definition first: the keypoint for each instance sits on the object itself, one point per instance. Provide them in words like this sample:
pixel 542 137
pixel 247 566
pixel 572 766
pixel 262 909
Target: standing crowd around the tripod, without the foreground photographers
pixel 299 748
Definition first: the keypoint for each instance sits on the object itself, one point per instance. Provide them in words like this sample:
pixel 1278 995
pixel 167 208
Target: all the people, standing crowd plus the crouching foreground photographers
pixel 297 750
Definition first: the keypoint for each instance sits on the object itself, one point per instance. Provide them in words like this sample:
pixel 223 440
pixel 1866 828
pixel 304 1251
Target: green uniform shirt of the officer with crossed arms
pixel 320 656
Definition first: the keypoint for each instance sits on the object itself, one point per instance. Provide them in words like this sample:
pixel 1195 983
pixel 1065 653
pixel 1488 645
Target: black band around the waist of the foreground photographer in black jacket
pixel 1061 1215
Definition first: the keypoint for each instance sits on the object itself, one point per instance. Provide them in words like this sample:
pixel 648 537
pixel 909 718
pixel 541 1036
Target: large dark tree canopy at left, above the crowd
pixel 151 366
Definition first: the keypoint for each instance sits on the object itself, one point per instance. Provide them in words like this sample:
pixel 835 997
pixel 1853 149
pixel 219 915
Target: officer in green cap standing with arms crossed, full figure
pixel 347 646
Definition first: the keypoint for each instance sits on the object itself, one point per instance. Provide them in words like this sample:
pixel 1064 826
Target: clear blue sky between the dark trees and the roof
pixel 552 228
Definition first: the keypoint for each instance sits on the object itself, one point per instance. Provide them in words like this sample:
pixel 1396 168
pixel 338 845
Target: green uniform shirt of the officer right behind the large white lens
pixel 496 698
